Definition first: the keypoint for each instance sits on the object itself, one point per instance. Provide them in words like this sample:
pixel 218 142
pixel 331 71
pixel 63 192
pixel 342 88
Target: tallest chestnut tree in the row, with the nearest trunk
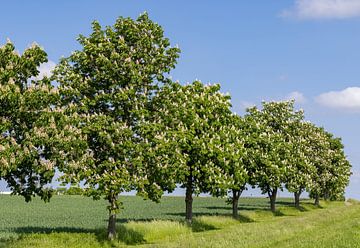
pixel 105 90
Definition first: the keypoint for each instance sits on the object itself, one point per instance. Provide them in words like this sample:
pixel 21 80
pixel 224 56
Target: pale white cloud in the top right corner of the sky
pixel 324 9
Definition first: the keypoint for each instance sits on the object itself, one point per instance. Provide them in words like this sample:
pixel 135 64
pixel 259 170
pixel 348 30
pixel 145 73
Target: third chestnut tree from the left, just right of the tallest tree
pixel 197 120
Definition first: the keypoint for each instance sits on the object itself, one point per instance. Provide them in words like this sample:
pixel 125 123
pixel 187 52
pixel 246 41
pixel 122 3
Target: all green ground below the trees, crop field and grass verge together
pixel 75 221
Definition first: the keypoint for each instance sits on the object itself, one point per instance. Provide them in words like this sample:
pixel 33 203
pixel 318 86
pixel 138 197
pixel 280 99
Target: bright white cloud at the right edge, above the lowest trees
pixel 348 99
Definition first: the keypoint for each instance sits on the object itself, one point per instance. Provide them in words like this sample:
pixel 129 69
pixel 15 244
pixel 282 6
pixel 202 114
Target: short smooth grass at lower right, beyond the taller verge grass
pixel 335 226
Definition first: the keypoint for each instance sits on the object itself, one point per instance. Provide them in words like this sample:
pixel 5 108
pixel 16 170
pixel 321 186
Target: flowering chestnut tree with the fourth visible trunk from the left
pixel 271 140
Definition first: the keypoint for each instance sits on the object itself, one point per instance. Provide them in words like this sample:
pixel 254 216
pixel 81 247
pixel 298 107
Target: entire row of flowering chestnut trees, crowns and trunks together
pixel 110 117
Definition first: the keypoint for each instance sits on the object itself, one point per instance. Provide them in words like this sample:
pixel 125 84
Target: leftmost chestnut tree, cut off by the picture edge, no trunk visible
pixel 25 111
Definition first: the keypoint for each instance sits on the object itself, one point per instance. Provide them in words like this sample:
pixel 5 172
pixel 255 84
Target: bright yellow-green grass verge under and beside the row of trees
pixel 336 225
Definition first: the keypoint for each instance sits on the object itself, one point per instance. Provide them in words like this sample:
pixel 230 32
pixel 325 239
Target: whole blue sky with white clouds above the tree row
pixel 257 50
